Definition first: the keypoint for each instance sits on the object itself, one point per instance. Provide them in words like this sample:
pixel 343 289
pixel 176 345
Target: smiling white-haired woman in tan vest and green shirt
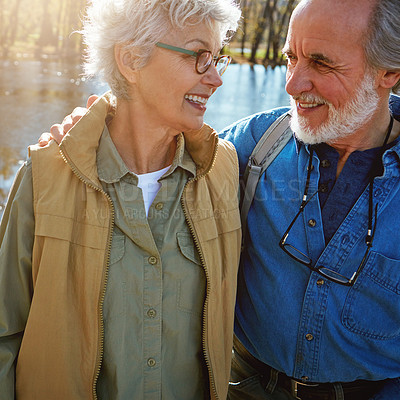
pixel 119 247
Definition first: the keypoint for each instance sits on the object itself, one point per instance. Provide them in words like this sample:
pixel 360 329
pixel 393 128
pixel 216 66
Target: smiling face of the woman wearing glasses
pixel 168 91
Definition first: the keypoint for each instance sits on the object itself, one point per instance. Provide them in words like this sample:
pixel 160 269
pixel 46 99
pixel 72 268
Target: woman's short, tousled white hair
pixel 139 24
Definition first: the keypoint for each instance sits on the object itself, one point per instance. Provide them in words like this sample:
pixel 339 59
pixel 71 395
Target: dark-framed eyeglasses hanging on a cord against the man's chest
pixel 305 260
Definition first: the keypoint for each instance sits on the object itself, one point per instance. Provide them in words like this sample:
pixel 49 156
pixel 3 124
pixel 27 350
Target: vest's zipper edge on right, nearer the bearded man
pixel 203 264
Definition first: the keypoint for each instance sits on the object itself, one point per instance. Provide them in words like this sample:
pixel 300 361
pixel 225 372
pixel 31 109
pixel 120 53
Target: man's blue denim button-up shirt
pixel 290 317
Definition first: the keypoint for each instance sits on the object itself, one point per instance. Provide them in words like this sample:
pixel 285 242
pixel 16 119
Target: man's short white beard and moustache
pixel 341 122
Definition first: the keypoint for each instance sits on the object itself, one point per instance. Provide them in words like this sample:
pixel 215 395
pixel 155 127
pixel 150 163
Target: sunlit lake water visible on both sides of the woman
pixel 34 95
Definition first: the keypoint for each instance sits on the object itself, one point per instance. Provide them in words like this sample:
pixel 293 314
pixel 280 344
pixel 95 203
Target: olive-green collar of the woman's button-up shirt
pixel 111 168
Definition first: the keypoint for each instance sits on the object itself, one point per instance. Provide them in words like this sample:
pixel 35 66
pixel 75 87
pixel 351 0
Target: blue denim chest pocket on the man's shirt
pixel 372 306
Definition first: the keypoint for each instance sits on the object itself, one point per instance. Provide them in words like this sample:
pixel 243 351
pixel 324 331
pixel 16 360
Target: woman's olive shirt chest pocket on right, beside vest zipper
pixel 192 282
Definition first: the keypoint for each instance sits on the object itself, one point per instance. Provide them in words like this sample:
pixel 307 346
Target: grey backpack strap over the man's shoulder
pixel 268 147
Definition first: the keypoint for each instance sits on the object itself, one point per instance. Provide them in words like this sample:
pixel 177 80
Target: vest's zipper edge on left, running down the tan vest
pixel 100 352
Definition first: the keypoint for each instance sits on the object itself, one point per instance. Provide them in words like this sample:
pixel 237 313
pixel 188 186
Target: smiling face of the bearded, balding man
pixel 327 71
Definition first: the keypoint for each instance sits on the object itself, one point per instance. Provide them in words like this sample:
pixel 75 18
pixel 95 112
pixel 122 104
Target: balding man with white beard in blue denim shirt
pixel 318 306
